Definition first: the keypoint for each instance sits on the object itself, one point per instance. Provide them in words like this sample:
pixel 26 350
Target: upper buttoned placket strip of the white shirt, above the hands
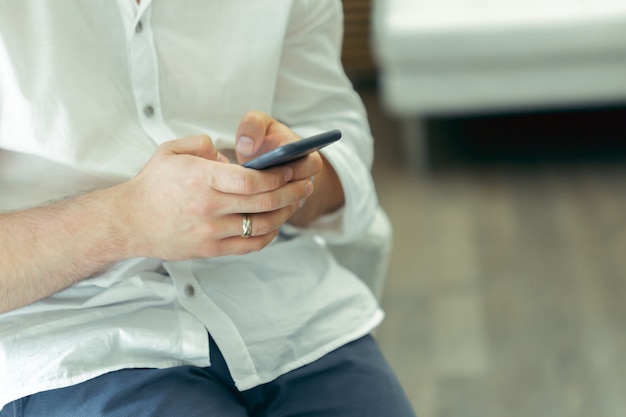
pixel 144 71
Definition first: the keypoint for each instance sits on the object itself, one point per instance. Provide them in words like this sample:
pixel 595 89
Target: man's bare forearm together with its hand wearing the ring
pixel 187 202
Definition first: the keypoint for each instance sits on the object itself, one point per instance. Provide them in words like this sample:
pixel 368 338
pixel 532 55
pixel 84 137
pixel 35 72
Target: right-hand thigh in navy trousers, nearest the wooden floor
pixel 354 380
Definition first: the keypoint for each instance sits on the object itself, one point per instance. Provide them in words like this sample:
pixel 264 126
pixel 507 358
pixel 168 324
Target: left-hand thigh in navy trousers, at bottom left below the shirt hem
pixel 179 391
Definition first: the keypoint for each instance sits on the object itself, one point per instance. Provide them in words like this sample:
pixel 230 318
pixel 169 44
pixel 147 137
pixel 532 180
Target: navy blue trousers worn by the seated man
pixel 355 381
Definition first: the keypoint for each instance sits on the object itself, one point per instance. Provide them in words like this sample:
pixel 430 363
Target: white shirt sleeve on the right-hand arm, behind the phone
pixel 314 94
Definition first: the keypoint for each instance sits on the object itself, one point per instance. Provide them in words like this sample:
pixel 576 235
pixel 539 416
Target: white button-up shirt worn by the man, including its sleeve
pixel 88 90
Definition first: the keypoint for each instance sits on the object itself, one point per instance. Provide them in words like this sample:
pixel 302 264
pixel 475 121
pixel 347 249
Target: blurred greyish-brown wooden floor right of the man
pixel 506 293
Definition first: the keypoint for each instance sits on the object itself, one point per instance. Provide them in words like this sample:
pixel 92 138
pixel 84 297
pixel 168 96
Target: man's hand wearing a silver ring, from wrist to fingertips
pixel 189 202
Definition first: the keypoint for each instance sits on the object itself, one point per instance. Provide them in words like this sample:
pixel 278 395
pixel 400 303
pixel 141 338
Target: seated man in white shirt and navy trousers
pixel 148 275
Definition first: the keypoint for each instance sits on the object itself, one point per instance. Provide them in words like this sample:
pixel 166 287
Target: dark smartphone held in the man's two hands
pixel 294 150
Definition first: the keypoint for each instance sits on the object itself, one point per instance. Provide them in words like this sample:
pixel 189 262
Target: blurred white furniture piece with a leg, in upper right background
pixel 446 57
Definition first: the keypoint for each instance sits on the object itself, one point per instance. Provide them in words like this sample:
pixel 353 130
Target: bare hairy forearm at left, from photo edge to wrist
pixel 46 249
